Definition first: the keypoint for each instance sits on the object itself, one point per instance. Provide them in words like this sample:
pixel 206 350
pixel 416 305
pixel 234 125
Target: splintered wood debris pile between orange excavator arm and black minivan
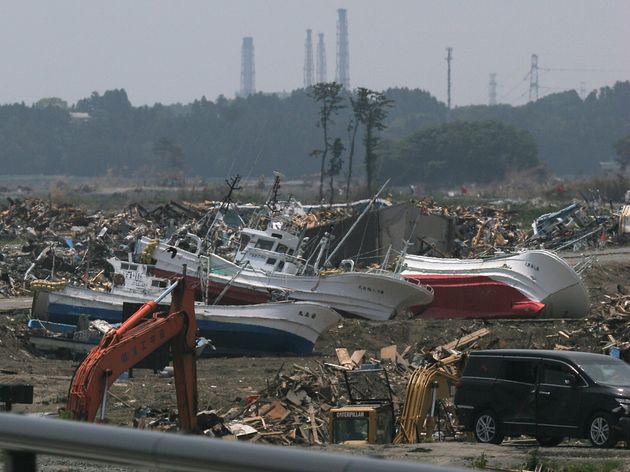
pixel 294 407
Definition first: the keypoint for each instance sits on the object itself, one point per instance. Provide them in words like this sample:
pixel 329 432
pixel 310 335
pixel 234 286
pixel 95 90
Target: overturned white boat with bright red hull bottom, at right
pixel 525 284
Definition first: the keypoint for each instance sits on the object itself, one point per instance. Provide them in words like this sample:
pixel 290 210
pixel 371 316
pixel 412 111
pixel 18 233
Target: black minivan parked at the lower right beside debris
pixel 547 394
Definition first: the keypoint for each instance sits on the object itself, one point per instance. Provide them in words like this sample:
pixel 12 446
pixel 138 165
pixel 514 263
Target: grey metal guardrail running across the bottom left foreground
pixel 22 437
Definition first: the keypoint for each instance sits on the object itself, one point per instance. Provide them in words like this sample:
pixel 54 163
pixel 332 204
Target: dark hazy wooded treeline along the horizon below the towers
pixel 256 135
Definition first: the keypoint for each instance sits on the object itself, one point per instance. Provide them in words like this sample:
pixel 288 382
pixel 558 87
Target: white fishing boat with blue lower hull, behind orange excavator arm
pixel 266 329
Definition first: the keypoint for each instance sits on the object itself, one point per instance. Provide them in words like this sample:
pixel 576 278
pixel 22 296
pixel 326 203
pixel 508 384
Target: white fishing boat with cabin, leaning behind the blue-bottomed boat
pixel 270 261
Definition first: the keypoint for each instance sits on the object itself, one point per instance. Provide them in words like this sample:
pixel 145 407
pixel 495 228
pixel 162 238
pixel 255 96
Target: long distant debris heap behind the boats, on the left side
pixel 44 240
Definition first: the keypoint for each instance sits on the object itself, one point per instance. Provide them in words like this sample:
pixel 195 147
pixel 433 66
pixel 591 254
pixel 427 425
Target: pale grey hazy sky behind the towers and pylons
pixel 177 51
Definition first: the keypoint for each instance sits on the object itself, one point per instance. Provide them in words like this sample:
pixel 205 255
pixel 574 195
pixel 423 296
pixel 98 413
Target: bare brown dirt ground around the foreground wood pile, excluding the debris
pixel 225 382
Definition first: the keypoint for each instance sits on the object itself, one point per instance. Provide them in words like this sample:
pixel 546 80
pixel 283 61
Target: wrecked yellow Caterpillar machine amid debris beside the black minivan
pixel 369 417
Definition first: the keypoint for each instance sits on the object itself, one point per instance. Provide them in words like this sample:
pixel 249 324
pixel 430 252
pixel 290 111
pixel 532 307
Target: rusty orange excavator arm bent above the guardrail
pixel 122 348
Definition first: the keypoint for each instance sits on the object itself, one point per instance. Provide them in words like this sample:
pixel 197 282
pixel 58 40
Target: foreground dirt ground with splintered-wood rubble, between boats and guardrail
pixel 285 399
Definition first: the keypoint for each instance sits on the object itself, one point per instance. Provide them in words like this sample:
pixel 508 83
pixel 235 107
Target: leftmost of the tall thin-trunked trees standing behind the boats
pixel 328 95
